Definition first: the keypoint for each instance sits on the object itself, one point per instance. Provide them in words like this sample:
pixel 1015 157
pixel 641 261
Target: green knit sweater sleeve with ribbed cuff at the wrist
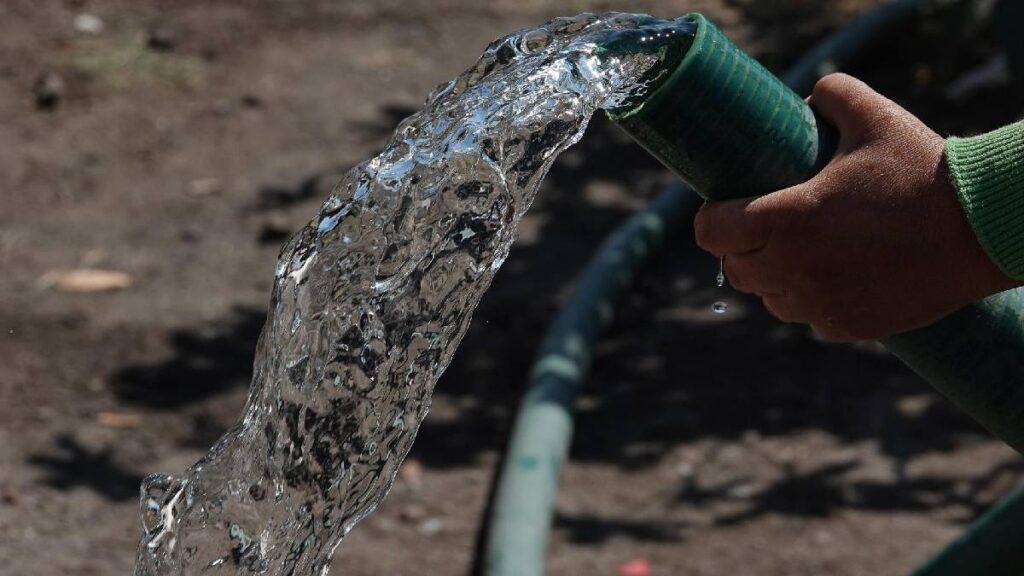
pixel 989 175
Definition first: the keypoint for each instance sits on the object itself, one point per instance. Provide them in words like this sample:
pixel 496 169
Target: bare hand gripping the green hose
pixel 876 244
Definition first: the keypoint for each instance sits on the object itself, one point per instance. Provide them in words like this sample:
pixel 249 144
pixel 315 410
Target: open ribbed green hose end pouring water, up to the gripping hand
pixel 727 126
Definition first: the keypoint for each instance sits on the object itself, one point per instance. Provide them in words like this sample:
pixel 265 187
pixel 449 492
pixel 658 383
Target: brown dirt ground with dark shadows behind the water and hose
pixel 180 142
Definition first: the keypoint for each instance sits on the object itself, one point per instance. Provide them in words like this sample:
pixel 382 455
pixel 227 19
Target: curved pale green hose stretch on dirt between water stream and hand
pixel 521 520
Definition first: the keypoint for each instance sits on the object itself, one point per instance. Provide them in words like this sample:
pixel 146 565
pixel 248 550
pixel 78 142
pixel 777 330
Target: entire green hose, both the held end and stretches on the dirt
pixel 772 147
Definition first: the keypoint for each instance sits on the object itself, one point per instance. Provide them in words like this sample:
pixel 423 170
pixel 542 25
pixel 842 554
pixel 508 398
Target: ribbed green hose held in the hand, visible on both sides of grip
pixel 731 130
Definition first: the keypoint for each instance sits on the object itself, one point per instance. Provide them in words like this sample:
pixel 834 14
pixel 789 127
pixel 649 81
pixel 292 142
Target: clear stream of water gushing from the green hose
pixel 372 298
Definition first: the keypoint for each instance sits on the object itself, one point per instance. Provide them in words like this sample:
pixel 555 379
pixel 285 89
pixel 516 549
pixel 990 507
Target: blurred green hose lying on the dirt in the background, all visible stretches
pixel 522 514
